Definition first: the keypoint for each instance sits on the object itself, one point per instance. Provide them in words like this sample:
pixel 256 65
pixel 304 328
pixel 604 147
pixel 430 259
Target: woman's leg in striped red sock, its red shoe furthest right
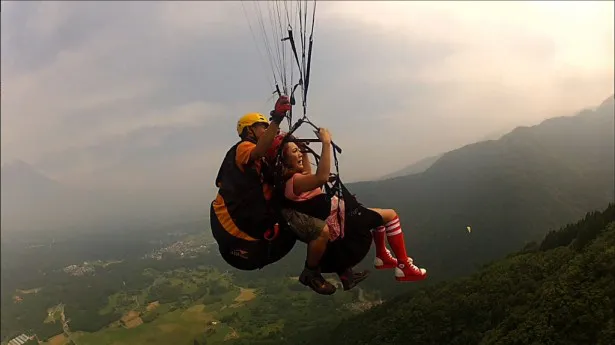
pixel 405 270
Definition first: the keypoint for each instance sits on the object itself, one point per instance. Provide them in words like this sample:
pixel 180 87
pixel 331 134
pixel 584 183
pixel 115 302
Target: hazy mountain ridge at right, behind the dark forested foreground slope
pixel 508 191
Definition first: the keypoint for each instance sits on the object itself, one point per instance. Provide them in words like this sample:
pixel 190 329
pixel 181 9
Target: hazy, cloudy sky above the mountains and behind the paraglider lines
pixel 143 97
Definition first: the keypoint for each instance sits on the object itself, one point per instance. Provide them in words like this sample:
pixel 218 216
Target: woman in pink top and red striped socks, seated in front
pixel 303 193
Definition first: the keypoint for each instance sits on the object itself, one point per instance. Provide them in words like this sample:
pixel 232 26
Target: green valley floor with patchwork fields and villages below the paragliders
pixel 175 298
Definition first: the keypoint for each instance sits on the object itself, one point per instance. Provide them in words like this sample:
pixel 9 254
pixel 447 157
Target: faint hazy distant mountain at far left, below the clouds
pixel 34 203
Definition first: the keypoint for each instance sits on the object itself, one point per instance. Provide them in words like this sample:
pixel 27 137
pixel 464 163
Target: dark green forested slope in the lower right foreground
pixel 561 292
